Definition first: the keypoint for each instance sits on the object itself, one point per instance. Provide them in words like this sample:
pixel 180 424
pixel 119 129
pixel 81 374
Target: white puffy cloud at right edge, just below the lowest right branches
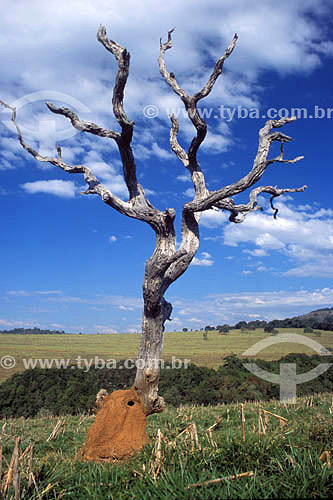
pixel 304 236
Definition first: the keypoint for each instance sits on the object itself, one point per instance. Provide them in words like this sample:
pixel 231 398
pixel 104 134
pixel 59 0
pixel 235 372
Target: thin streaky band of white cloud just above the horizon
pixel 194 312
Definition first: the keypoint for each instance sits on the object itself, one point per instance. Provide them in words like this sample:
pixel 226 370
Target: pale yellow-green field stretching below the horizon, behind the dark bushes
pixel 190 345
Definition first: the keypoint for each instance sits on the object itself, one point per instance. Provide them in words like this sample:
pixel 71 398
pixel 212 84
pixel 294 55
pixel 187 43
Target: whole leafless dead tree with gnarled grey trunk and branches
pixel 167 263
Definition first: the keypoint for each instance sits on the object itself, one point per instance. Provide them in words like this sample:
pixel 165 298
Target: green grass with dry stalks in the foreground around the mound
pixel 285 461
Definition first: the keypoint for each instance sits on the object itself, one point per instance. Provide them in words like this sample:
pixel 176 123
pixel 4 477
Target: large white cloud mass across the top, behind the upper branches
pixel 82 69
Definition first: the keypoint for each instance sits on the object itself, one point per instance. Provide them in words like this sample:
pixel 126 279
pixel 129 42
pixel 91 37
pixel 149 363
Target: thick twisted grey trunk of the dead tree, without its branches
pixel 164 267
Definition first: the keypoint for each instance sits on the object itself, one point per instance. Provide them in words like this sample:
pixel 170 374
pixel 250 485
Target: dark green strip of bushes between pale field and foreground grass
pixel 73 390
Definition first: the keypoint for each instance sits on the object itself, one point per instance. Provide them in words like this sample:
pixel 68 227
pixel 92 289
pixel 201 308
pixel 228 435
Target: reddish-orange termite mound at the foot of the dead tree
pixel 119 429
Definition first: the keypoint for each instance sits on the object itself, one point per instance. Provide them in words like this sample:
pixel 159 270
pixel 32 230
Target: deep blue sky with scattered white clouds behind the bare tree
pixel 71 262
